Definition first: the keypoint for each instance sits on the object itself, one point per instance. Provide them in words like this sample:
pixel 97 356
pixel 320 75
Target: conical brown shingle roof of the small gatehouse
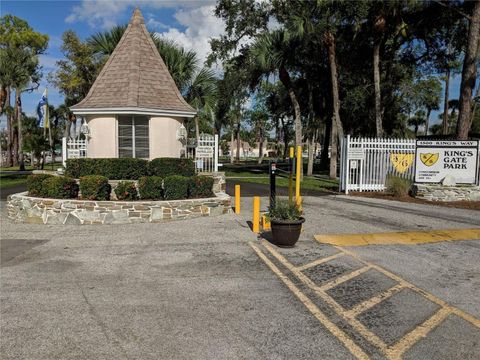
pixel 134 76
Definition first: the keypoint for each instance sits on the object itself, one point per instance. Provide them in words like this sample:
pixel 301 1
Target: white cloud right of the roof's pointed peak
pixel 201 25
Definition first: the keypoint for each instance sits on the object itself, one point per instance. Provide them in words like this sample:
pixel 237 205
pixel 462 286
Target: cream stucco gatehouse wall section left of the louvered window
pixel 103 137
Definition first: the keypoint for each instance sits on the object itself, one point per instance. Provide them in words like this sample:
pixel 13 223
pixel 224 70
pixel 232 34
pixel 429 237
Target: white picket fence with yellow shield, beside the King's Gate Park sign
pixel 366 162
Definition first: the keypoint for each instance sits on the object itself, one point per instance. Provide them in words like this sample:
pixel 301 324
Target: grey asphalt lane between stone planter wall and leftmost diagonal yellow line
pixel 180 290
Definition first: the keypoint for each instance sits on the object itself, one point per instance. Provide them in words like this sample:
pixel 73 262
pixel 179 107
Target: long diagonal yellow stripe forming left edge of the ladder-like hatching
pixel 357 325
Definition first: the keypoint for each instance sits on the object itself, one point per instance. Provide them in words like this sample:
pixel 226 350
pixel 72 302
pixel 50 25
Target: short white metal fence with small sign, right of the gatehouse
pixel 205 153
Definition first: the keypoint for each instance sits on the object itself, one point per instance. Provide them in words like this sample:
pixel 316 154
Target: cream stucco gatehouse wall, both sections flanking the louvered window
pixel 103 140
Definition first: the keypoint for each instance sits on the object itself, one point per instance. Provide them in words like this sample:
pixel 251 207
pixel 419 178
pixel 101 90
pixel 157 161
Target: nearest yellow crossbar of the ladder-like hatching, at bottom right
pixel 396 351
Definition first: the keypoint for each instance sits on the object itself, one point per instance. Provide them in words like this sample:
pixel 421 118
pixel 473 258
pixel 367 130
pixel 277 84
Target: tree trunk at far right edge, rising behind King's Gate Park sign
pixel 469 74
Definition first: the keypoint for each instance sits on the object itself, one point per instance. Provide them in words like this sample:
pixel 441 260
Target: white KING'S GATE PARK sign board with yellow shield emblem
pixel 435 159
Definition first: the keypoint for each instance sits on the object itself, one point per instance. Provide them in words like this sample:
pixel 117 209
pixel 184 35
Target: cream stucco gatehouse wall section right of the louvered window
pixel 163 137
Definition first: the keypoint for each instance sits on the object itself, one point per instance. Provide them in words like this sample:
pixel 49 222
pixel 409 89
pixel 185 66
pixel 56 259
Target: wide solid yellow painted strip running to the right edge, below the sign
pixel 410 237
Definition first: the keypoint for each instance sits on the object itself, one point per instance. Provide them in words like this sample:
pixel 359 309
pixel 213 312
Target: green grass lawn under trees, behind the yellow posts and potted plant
pixel 309 182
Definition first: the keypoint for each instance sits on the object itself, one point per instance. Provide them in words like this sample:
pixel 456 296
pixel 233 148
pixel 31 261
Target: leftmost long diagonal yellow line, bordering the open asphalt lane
pixel 339 334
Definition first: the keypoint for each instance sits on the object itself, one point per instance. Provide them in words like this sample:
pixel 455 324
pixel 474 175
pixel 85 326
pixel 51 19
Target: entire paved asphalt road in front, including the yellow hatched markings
pixel 208 288
